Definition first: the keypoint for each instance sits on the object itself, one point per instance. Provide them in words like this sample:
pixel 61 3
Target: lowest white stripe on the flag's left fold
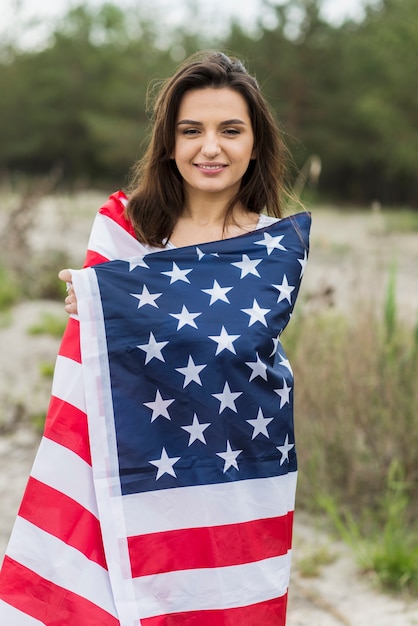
pixel 61 564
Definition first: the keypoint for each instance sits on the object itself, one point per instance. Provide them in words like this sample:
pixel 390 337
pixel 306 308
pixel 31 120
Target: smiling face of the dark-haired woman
pixel 214 142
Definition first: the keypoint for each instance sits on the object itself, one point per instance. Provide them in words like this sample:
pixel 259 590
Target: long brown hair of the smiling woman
pixel 156 193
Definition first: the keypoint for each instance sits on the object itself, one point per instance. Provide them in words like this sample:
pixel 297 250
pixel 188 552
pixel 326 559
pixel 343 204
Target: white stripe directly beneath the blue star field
pixel 209 505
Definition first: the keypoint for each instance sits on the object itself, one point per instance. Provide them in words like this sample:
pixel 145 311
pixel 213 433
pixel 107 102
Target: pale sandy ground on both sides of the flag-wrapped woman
pixel 349 265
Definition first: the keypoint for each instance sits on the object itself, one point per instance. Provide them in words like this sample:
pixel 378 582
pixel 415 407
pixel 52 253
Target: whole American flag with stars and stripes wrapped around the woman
pixel 163 490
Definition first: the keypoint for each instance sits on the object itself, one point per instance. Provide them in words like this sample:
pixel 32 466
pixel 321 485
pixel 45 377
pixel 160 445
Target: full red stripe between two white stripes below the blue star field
pixel 216 546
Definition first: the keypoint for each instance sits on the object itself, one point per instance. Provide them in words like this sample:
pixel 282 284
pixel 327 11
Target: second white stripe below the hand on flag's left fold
pixel 63 470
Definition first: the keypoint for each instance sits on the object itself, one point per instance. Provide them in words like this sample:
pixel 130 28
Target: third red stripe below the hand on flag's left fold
pixel 64 518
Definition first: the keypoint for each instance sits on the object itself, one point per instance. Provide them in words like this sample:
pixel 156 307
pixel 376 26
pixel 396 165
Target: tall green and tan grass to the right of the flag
pixel 356 409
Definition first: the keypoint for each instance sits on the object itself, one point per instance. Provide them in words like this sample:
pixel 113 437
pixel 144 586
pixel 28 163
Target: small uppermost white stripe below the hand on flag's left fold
pixel 68 384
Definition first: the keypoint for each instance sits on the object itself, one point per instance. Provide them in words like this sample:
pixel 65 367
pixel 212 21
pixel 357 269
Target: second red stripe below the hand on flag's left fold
pixel 67 425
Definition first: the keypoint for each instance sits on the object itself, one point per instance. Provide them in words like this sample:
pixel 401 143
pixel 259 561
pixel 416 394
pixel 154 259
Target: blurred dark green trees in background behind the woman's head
pixel 347 93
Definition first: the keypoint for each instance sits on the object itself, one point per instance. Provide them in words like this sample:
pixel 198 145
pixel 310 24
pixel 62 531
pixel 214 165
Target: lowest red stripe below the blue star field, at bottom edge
pixel 270 613
